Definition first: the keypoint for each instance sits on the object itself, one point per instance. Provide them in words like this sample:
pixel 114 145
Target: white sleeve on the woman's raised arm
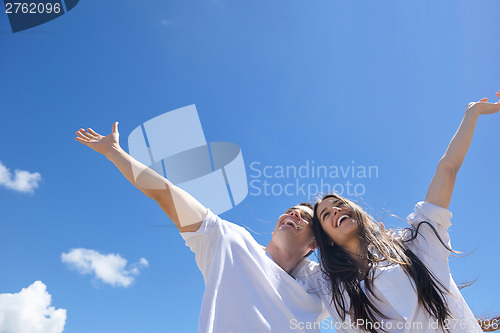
pixel 427 242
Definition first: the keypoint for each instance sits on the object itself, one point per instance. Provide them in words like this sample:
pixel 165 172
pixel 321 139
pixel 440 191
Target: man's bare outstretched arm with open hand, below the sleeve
pixel 184 210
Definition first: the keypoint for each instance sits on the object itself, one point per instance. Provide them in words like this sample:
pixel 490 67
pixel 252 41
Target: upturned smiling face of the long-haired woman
pixel 337 220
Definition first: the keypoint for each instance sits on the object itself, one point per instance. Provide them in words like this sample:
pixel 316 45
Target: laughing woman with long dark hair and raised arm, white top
pixel 374 282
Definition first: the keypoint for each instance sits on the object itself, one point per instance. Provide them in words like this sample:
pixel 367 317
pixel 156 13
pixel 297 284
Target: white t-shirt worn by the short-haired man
pixel 245 290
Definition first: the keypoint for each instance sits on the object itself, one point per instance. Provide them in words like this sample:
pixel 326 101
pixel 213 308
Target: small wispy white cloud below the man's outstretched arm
pixel 109 268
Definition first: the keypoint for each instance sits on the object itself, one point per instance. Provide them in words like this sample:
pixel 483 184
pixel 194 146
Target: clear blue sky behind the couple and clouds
pixel 339 83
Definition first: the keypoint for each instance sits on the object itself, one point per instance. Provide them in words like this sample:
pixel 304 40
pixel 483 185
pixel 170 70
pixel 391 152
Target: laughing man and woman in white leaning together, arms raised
pixel 368 280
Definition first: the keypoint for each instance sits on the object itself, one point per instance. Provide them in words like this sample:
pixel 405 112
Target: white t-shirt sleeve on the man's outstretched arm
pixel 203 241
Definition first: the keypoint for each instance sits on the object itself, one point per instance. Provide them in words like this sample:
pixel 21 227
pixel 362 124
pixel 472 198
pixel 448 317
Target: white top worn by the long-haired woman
pixel 397 298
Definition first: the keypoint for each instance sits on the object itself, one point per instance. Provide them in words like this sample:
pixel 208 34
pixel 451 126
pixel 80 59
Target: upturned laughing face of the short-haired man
pixel 294 228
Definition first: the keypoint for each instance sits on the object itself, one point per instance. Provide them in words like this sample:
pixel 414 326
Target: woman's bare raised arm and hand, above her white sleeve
pixel 441 187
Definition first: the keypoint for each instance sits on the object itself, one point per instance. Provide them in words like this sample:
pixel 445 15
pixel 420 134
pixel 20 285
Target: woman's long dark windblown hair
pixel 345 274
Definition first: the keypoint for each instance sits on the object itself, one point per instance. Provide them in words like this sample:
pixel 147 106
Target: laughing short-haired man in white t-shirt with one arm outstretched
pixel 248 288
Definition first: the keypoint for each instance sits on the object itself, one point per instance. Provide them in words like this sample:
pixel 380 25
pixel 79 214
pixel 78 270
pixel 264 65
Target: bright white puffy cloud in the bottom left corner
pixel 29 311
